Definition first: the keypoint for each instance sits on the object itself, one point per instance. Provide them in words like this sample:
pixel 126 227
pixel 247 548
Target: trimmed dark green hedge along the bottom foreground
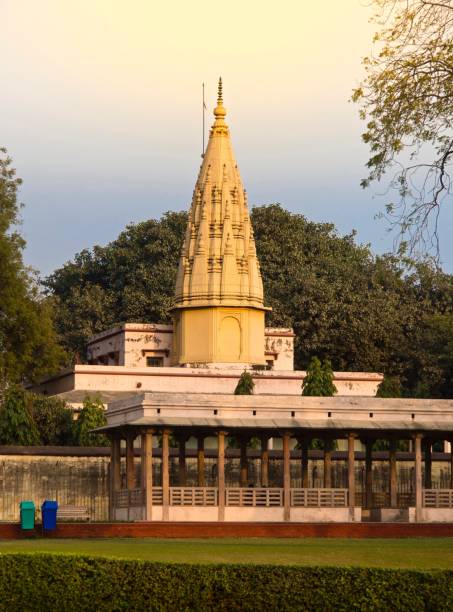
pixel 65 583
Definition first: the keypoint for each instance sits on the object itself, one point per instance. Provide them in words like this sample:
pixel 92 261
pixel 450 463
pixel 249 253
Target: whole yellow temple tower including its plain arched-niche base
pixel 219 310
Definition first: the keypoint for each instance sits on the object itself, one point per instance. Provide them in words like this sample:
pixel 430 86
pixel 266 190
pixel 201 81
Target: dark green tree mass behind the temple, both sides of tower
pixel 363 312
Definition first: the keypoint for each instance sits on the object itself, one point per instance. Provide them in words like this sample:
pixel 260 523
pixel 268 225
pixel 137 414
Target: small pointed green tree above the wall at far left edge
pixel 16 422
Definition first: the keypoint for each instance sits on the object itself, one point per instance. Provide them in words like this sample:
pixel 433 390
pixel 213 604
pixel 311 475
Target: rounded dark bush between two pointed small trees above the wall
pixel 53 420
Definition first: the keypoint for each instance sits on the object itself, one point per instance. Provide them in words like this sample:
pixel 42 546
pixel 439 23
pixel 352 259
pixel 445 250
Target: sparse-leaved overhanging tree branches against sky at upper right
pixel 406 100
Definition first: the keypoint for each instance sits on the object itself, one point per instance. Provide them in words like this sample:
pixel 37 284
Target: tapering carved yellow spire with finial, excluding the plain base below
pixel 220 225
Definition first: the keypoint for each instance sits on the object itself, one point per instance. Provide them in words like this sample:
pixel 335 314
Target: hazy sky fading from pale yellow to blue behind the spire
pixel 101 111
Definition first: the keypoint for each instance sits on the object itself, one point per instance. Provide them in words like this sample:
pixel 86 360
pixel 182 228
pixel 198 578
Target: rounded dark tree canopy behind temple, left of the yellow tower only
pixel 129 280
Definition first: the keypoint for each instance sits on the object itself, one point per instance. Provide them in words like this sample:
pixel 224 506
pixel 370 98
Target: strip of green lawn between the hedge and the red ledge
pixel 416 553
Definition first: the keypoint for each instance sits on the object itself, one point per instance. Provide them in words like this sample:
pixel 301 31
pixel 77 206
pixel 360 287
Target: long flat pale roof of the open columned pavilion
pixel 273 413
